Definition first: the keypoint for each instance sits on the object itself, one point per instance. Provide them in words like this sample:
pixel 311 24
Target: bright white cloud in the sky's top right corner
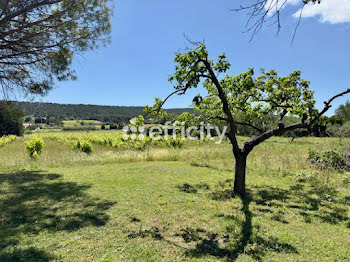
pixel 332 11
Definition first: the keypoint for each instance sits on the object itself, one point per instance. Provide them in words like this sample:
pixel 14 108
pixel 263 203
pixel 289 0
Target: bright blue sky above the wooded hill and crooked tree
pixel 135 67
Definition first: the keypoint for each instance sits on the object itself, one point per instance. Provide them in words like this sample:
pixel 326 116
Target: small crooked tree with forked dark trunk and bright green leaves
pixel 255 96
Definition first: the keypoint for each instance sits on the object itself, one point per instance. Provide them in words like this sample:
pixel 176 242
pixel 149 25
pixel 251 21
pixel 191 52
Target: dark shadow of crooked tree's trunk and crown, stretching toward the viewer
pixel 233 243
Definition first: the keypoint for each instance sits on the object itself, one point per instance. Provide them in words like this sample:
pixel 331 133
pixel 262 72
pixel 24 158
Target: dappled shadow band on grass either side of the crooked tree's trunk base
pixel 311 201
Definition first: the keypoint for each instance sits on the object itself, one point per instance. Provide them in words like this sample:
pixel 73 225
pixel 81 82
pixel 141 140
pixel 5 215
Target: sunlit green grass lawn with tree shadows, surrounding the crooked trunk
pixel 172 204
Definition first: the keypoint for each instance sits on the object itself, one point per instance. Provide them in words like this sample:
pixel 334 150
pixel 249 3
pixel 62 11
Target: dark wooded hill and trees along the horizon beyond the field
pixel 12 116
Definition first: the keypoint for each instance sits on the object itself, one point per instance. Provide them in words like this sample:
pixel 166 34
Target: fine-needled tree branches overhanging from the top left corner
pixel 40 38
